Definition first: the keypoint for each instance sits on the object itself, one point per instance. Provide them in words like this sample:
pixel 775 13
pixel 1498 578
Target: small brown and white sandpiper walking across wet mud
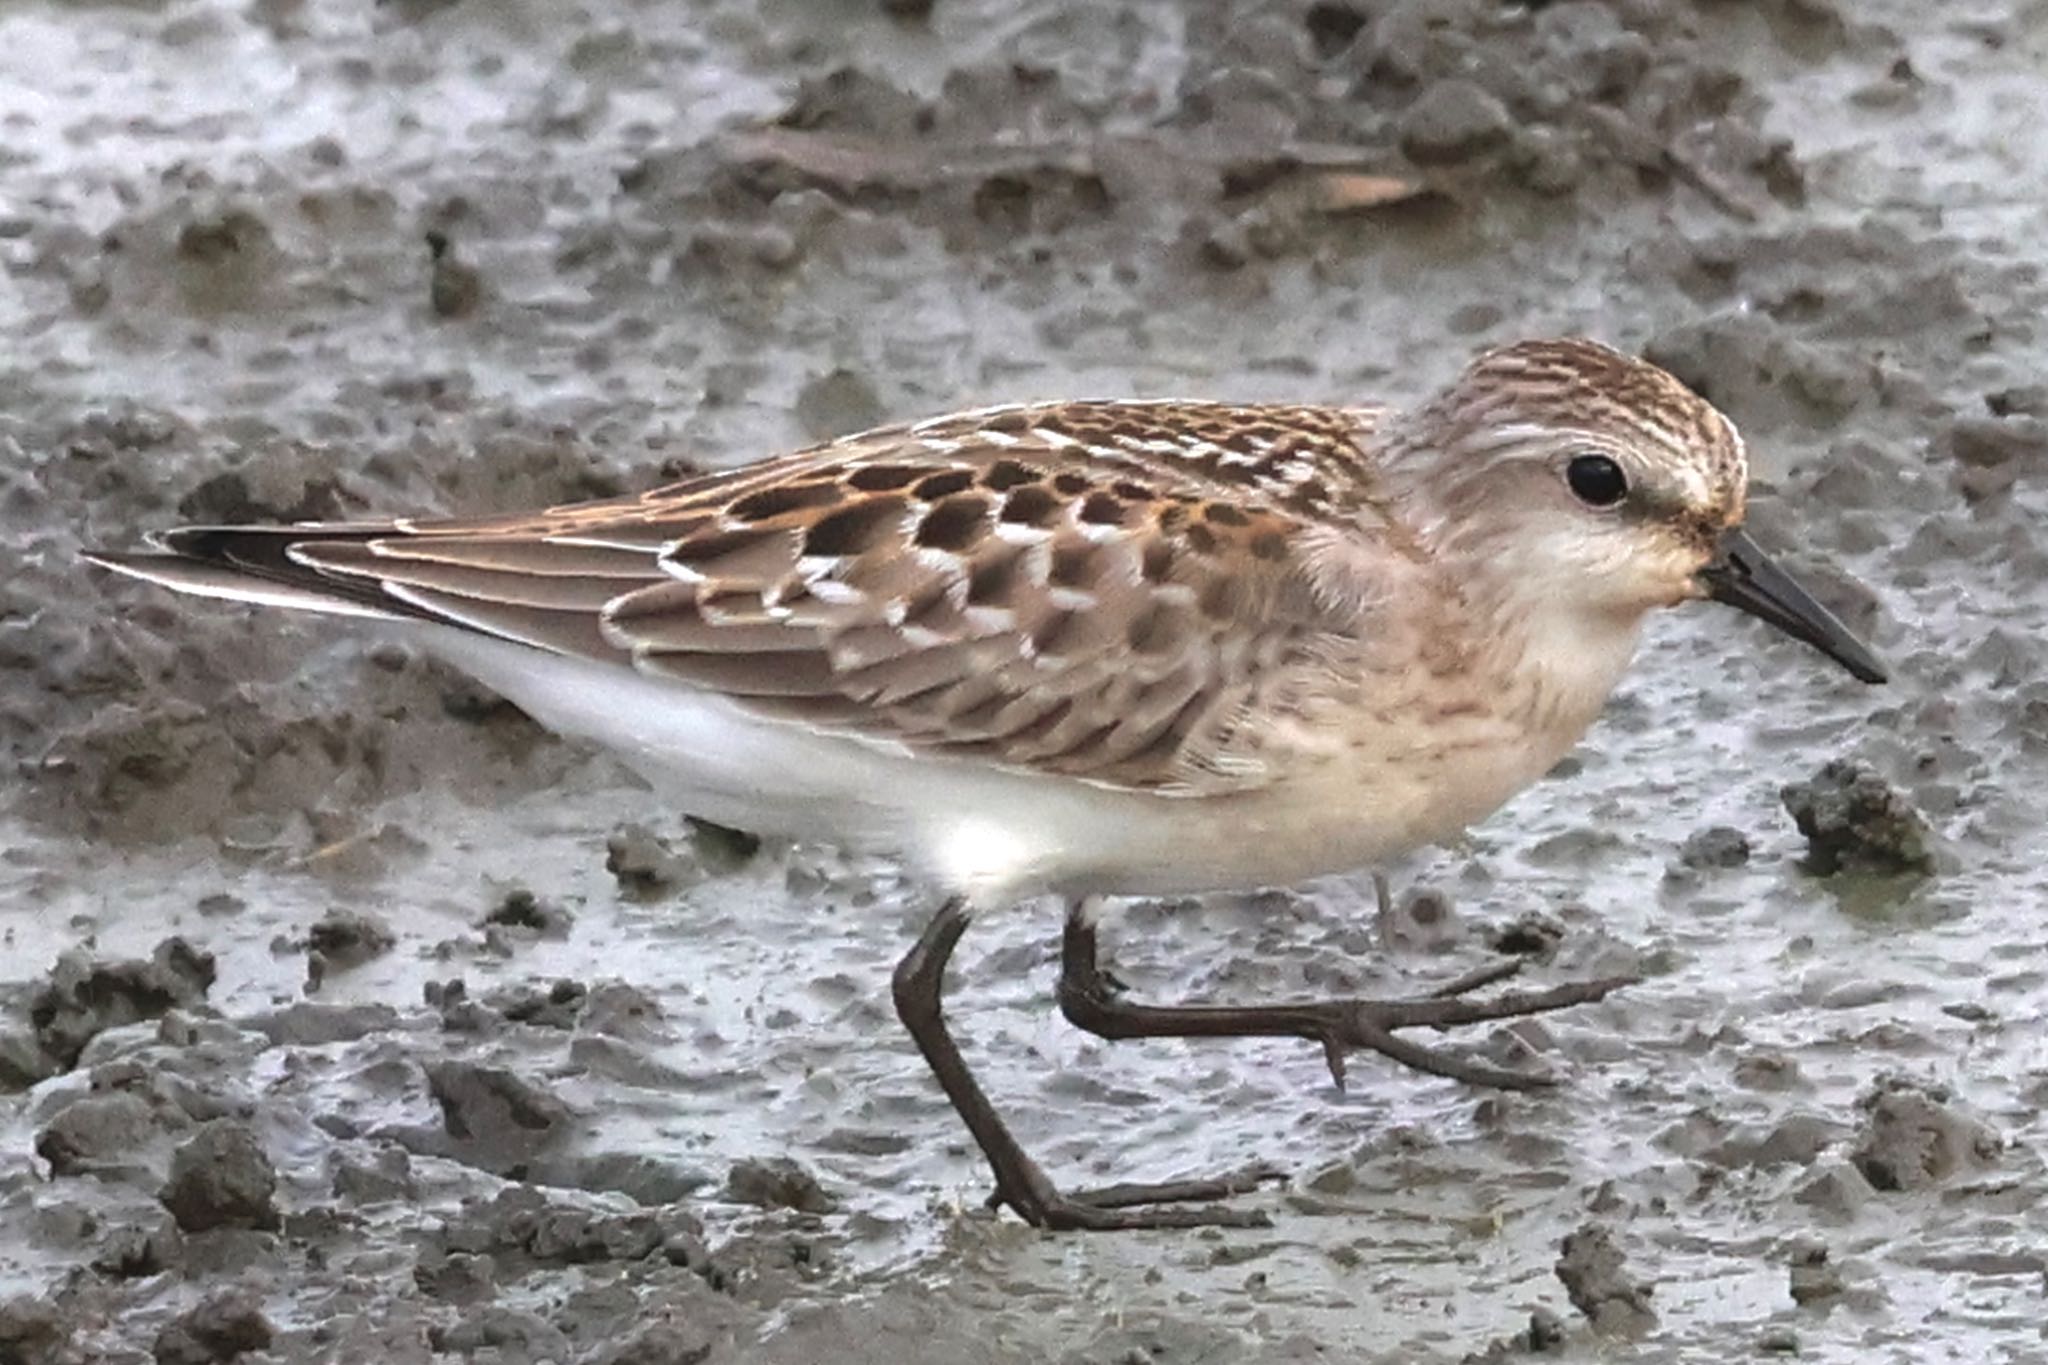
pixel 1101 650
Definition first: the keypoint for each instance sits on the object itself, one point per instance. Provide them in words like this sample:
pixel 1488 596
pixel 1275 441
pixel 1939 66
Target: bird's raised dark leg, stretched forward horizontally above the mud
pixel 1093 1002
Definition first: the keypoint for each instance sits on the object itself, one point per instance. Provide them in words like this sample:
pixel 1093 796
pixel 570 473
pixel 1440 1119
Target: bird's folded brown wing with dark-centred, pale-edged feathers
pixel 972 590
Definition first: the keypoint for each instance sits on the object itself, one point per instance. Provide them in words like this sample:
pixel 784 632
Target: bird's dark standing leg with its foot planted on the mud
pixel 1019 1180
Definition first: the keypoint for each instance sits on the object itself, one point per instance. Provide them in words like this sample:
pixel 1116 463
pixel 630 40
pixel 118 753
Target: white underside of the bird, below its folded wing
pixel 988 834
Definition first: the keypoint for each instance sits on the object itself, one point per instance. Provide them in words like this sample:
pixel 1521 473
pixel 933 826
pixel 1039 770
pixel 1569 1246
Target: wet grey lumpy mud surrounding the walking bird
pixel 450 1086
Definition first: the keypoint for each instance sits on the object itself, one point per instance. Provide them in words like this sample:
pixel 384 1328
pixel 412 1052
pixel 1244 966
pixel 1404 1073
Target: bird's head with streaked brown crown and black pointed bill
pixel 1596 488
